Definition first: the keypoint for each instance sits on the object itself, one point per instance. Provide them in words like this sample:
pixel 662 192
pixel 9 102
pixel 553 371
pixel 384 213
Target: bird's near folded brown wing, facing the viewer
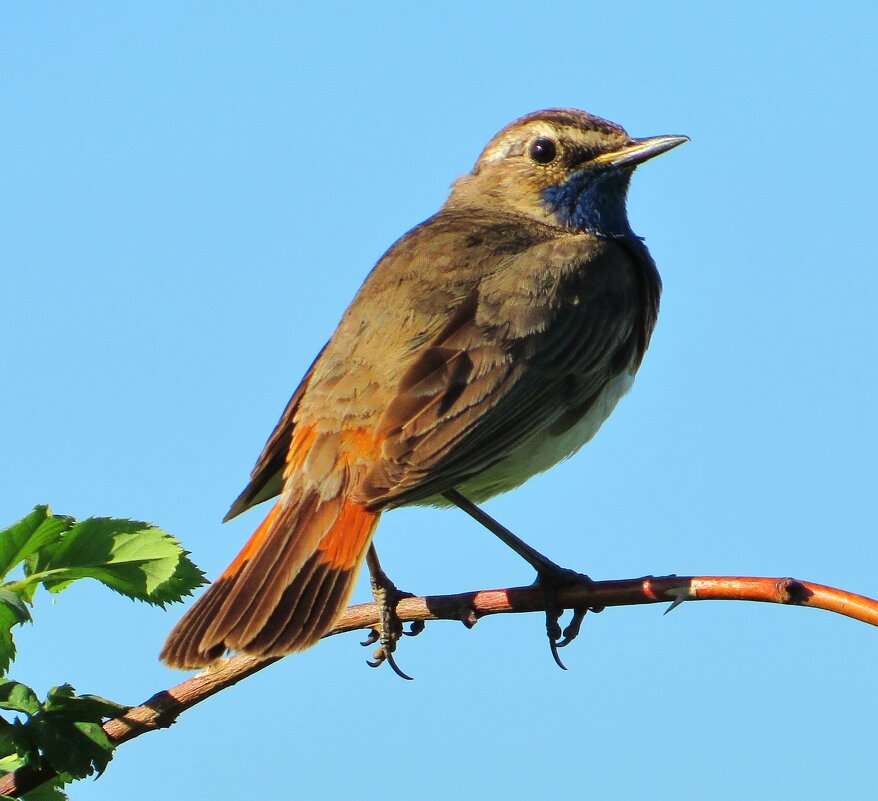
pixel 527 351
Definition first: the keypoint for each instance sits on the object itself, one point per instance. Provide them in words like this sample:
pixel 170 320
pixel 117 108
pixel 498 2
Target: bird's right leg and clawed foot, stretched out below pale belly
pixel 550 576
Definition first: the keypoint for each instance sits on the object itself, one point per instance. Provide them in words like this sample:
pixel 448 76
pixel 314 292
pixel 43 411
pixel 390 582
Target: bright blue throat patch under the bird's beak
pixel 593 202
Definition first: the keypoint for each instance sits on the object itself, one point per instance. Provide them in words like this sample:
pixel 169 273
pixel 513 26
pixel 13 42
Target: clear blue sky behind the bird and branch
pixel 192 193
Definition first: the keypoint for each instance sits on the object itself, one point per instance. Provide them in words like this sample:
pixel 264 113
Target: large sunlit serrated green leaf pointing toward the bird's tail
pixel 134 558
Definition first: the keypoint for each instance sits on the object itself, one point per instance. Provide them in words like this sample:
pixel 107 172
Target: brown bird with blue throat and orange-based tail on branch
pixel 488 343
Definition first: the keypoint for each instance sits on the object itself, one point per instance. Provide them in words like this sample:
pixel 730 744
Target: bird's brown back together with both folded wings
pixel 468 336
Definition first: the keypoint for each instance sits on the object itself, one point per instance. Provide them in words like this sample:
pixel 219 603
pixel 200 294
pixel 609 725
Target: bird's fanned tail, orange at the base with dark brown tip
pixel 286 587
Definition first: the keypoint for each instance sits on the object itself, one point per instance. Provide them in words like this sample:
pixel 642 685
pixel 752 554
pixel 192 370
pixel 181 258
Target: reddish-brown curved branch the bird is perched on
pixel 164 707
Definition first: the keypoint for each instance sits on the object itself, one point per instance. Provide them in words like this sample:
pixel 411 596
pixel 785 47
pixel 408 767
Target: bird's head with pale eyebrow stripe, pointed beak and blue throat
pixel 563 167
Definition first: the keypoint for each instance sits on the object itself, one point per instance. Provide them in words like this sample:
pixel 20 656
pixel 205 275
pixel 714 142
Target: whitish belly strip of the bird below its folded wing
pixel 543 450
